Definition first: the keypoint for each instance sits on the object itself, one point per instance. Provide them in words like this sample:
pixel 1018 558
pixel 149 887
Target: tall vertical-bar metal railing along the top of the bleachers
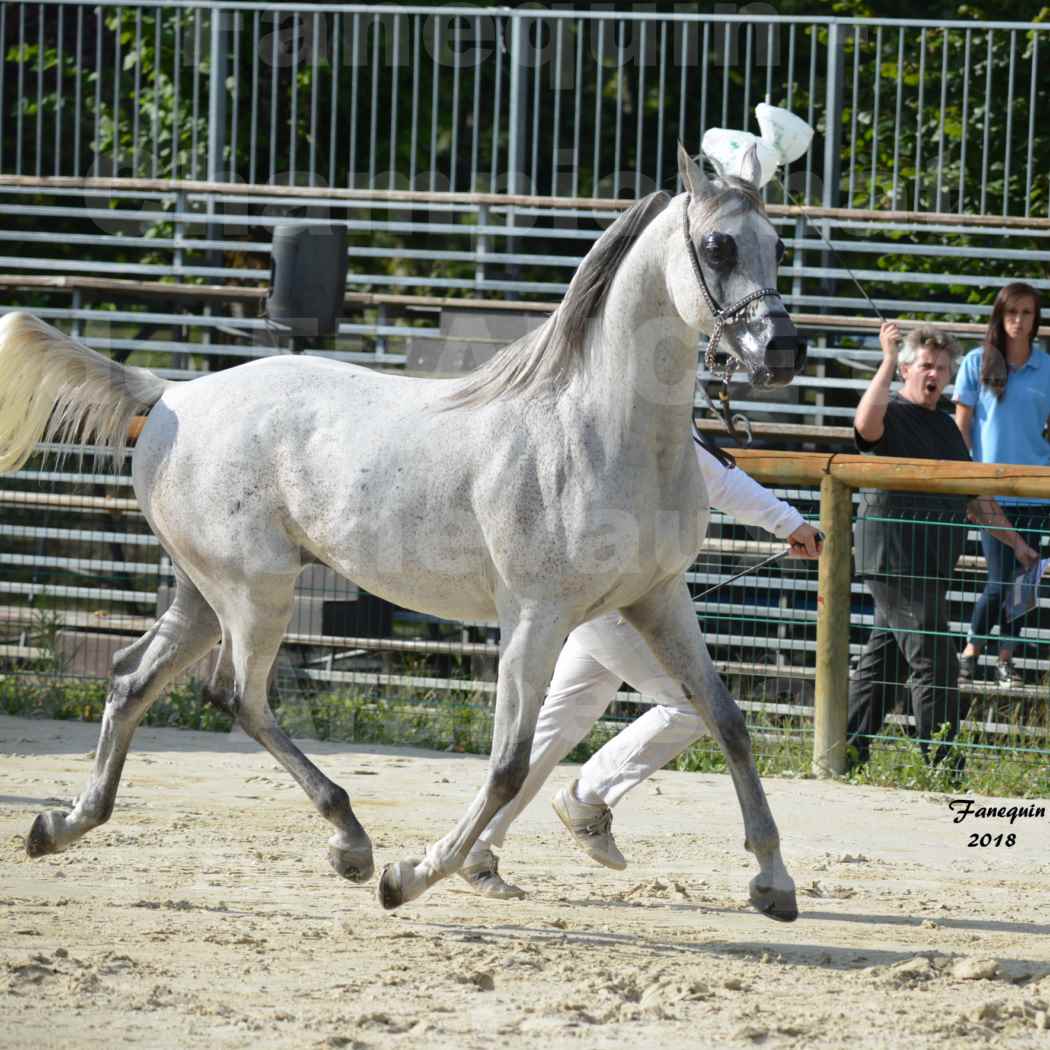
pixel 319 62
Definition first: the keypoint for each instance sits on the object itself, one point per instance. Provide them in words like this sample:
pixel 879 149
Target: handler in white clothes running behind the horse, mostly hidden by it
pixel 597 658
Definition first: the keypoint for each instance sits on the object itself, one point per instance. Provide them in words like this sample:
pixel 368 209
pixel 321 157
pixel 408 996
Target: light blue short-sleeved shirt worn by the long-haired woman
pixel 1009 430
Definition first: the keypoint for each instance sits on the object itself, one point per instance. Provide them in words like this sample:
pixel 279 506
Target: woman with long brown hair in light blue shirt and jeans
pixel 1003 411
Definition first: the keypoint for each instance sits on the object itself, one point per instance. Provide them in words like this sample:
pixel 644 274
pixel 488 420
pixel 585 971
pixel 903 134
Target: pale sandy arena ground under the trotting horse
pixel 205 915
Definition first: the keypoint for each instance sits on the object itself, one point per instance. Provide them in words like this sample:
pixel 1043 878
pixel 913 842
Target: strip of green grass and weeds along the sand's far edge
pixel 463 722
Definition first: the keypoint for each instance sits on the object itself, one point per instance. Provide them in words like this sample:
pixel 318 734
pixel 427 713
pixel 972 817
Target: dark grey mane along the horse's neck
pixel 549 355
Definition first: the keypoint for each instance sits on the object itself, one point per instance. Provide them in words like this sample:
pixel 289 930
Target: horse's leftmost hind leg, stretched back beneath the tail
pixel 176 642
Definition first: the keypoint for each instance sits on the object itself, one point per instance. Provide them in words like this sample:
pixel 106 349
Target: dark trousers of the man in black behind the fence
pixel 910 645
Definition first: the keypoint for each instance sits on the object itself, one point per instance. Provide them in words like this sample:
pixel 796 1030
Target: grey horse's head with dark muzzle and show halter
pixel 728 288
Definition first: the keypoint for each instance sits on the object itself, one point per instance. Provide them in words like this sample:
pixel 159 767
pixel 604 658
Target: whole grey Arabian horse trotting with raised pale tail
pixel 555 485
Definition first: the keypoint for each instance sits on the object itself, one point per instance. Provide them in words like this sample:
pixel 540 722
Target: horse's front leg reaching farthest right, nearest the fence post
pixel 667 620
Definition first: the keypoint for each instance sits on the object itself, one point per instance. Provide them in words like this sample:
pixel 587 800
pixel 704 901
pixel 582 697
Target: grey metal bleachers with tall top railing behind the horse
pixel 473 156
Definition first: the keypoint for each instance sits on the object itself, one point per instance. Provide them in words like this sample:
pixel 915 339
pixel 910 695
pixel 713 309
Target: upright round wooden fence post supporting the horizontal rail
pixel 833 629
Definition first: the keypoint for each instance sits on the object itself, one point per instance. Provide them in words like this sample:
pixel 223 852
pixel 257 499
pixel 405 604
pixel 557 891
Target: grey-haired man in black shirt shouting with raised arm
pixel 908 544
